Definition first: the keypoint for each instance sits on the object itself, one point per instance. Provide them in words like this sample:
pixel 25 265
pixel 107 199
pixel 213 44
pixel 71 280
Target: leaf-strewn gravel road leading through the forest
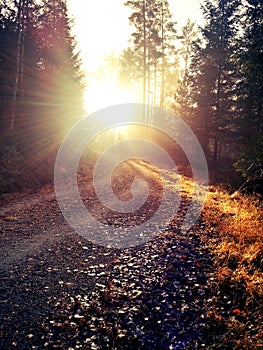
pixel 59 290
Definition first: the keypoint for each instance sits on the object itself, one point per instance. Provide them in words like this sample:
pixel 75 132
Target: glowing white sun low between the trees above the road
pixel 106 93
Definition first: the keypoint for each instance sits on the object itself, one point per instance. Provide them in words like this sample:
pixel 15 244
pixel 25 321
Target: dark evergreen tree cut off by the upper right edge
pixel 250 64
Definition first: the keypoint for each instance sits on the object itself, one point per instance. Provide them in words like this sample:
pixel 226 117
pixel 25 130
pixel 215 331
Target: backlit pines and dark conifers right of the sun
pixel 216 82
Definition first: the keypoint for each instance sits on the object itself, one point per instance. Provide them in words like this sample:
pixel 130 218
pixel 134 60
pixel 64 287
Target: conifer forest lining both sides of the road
pixel 211 77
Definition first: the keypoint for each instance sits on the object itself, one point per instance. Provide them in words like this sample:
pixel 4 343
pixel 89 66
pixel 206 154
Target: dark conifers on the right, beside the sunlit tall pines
pixel 220 96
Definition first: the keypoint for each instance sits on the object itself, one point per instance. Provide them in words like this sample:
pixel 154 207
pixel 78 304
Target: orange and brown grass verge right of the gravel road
pixel 236 223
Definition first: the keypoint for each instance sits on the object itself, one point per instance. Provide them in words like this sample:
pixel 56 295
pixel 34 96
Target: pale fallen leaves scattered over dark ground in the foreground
pixel 152 297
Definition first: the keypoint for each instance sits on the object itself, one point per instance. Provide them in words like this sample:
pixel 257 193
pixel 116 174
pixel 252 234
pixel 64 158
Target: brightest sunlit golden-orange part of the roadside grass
pixel 240 225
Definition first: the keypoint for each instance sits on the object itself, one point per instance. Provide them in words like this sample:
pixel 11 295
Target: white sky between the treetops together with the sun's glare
pixel 102 27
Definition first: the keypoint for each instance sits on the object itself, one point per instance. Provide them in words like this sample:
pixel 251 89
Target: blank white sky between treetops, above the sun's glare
pixel 102 26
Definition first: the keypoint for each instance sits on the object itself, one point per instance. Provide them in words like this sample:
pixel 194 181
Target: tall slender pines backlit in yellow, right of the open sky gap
pixel 152 46
